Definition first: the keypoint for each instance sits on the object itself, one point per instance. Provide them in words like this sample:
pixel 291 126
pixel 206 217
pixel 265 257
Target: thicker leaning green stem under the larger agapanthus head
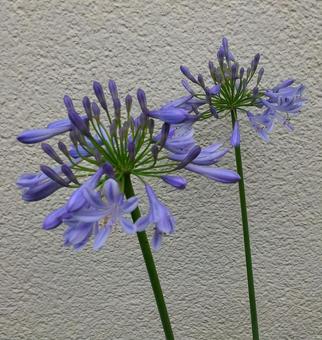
pixel 150 266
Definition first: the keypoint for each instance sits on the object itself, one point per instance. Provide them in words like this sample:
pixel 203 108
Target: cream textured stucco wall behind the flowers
pixel 49 48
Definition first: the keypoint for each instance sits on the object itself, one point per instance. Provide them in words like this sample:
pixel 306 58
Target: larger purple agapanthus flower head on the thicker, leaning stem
pixel 105 147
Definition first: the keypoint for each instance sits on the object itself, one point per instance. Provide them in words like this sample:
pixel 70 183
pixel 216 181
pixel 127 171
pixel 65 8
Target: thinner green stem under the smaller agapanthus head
pixel 247 246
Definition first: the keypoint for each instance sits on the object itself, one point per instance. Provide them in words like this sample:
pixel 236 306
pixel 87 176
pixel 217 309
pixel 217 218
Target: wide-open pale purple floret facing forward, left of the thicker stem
pixel 96 209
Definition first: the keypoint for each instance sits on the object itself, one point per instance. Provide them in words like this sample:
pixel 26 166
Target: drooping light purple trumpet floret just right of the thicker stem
pixel 159 215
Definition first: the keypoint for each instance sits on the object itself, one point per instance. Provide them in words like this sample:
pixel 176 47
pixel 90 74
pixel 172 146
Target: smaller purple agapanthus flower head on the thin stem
pixel 237 90
